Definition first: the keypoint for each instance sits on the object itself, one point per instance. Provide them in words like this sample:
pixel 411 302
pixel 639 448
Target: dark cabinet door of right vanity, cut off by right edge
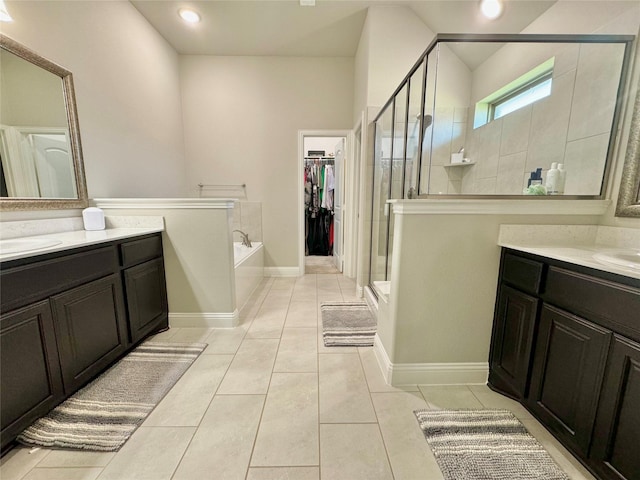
pixel 617 432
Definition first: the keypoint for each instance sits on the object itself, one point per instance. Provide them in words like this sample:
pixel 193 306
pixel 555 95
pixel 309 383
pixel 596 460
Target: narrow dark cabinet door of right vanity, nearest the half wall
pixel 512 341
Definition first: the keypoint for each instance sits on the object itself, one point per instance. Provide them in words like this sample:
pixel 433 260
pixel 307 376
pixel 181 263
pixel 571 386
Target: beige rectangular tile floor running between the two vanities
pixel 268 401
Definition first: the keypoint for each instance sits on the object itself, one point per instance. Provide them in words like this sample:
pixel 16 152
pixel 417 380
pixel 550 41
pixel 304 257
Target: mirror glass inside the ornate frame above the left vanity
pixel 34 137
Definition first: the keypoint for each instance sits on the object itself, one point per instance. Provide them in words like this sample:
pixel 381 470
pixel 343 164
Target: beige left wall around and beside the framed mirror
pixel 127 91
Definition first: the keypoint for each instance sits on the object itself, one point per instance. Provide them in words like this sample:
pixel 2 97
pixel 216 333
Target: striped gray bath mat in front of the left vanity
pixel 104 414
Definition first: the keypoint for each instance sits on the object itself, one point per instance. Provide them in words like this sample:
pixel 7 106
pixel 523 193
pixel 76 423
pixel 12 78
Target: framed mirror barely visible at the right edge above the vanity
pixel 629 196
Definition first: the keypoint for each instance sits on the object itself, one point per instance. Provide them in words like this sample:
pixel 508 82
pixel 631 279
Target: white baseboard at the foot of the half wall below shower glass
pixel 462 373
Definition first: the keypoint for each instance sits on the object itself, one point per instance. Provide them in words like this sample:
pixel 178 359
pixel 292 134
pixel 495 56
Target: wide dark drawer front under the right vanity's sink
pixel 610 304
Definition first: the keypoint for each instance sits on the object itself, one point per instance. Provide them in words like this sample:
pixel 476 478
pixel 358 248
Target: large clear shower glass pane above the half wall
pixel 519 118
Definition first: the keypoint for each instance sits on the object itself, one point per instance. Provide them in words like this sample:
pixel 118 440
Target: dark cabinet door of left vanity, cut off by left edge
pixel 29 368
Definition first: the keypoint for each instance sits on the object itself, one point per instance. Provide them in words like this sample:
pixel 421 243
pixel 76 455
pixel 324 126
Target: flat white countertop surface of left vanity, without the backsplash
pixel 80 238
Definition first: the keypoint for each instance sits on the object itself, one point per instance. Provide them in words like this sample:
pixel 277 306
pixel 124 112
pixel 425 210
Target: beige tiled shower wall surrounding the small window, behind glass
pixel 571 126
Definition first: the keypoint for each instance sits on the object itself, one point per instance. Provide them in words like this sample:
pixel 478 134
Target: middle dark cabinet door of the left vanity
pixel 91 329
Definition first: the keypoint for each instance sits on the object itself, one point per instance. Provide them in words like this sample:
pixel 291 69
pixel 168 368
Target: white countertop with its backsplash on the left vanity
pixel 70 233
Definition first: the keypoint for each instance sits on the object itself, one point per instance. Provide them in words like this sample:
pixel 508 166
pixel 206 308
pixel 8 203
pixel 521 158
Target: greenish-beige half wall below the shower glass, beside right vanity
pixel 443 284
